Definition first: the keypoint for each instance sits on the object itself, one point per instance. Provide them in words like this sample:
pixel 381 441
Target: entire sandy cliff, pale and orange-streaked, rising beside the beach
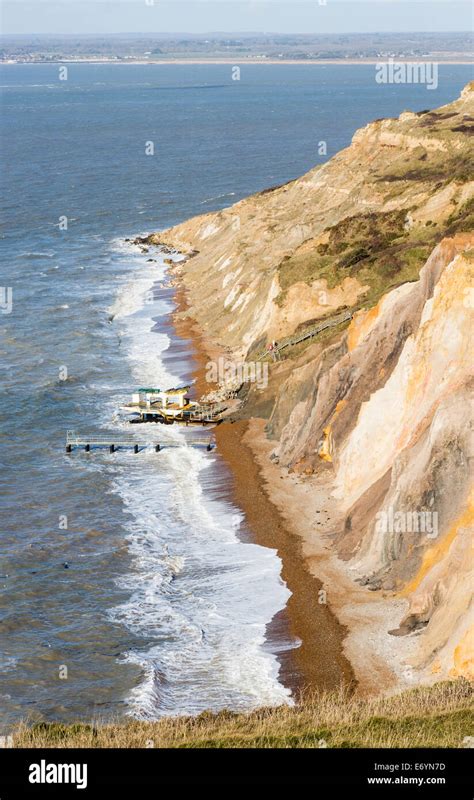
pixel 370 422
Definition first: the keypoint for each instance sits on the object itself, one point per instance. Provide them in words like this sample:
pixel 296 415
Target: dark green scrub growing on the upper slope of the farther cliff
pixel 379 249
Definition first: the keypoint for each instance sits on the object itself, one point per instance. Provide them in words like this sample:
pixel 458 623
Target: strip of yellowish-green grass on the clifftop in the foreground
pixel 437 716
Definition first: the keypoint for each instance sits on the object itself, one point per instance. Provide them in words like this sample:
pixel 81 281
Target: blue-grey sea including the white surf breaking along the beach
pixel 130 584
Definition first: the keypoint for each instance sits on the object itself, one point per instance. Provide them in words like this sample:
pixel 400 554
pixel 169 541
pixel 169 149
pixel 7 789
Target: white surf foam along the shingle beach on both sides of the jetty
pixel 196 590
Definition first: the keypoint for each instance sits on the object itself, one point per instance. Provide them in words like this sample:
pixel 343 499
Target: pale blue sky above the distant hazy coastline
pixel 202 16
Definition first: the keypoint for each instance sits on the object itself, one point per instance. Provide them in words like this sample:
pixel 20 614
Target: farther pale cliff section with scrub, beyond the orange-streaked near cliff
pixel 340 236
